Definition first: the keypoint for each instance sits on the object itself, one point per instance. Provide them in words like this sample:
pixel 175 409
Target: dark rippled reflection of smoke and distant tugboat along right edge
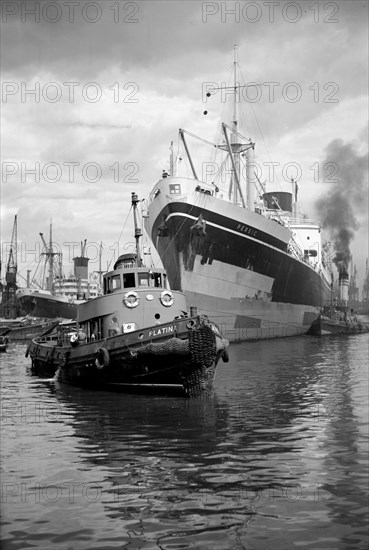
pixel 344 488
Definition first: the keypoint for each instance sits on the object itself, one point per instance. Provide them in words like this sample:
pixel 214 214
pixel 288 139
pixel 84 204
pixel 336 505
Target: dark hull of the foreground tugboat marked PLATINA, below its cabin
pixel 178 357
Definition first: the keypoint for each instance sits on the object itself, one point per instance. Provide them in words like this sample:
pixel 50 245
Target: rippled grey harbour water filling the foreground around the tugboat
pixel 277 459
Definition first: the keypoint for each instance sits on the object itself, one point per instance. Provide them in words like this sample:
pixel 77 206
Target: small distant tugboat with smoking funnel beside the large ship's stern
pixel 338 317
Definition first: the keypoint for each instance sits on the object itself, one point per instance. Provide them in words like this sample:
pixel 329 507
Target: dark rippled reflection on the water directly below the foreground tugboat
pixel 151 450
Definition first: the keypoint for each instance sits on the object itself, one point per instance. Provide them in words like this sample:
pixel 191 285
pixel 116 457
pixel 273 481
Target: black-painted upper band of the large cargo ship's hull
pixel 294 281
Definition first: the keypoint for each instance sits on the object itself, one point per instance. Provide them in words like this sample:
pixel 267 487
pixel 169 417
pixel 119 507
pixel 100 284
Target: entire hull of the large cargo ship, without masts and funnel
pixel 235 265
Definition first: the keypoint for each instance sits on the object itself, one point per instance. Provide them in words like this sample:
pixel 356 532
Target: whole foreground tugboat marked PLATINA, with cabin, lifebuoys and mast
pixel 137 336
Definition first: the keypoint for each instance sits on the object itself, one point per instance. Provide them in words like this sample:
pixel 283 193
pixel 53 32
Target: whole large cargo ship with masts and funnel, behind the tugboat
pixel 248 260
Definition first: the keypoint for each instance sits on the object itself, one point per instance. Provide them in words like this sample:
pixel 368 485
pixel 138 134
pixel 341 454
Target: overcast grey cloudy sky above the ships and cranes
pixel 93 93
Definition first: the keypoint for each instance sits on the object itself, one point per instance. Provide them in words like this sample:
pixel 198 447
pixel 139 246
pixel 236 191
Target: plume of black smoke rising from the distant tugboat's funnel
pixel 339 208
